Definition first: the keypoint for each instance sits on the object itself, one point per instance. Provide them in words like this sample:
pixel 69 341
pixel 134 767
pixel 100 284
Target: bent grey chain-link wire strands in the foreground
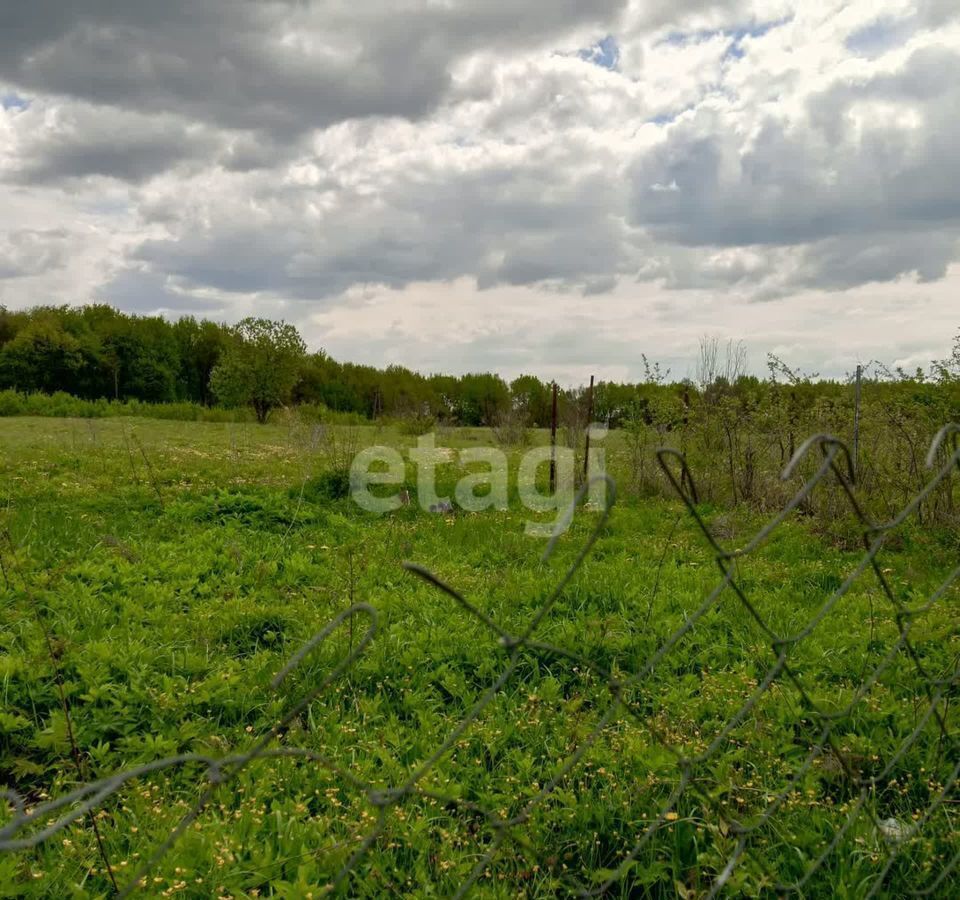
pixel 932 714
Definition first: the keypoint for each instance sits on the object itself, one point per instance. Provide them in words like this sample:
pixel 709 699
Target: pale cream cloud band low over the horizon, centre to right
pixel 453 328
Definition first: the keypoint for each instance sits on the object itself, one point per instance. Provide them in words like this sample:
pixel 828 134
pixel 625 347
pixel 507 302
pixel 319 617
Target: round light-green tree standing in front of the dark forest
pixel 259 366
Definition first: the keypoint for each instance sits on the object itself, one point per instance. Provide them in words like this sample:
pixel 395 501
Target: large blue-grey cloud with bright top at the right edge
pixel 862 197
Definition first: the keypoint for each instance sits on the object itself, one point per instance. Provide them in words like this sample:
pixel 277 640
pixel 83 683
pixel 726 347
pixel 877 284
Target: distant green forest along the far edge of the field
pixel 94 352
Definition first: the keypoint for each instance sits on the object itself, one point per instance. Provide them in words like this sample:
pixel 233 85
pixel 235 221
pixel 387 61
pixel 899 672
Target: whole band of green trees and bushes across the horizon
pixel 96 352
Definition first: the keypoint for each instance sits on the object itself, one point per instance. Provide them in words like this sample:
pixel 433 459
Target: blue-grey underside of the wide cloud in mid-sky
pixel 543 218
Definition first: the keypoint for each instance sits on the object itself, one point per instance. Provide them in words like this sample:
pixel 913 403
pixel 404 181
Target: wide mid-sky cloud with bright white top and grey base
pixel 395 212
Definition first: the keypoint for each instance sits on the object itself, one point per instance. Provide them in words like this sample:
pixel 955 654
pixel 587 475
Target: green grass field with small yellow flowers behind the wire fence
pixel 166 571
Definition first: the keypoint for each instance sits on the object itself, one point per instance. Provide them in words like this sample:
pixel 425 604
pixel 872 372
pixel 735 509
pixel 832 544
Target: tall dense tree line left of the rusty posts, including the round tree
pixel 94 352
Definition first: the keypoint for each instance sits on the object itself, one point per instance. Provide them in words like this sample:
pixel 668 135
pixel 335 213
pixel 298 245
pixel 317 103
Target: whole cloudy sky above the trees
pixel 546 186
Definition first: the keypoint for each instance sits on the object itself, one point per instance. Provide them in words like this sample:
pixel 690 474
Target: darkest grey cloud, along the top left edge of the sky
pixel 280 66
